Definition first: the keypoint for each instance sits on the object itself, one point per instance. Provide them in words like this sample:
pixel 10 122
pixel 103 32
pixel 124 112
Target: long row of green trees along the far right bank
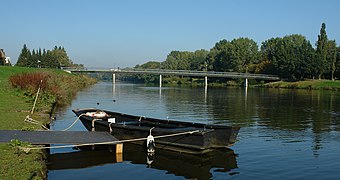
pixel 291 57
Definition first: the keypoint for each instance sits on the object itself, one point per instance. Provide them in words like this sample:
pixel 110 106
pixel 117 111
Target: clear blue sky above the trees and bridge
pixel 112 33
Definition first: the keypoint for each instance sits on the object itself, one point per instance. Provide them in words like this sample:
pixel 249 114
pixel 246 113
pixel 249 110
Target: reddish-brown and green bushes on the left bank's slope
pixel 57 89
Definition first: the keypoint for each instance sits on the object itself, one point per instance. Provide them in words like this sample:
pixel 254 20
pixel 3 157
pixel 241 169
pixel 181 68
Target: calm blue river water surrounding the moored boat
pixel 285 134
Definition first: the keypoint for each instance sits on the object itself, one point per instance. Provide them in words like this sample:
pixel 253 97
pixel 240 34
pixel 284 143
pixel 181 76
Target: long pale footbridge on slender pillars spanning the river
pixel 188 73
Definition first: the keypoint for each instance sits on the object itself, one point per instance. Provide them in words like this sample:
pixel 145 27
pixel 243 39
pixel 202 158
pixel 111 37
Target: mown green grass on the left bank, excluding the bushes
pixel 13 108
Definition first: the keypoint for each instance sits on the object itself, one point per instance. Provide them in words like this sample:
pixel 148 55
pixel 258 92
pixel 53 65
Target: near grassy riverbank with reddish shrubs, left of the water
pixel 16 104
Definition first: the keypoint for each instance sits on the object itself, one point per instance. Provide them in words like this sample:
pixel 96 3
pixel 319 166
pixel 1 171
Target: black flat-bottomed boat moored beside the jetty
pixel 194 138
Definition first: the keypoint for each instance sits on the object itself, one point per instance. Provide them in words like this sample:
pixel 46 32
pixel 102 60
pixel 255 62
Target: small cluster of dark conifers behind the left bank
pixel 55 58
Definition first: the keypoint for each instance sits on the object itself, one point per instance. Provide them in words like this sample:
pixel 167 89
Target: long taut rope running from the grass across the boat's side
pixel 26 149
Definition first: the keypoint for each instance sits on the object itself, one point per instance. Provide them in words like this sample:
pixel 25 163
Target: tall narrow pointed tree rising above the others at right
pixel 321 51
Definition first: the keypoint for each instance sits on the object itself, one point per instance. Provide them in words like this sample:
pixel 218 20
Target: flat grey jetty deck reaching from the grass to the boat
pixel 56 137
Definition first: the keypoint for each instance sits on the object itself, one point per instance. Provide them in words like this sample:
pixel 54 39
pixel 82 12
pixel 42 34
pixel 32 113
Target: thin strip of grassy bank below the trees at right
pixel 311 85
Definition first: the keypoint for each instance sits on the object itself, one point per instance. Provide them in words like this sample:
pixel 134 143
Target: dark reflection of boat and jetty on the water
pixel 179 164
